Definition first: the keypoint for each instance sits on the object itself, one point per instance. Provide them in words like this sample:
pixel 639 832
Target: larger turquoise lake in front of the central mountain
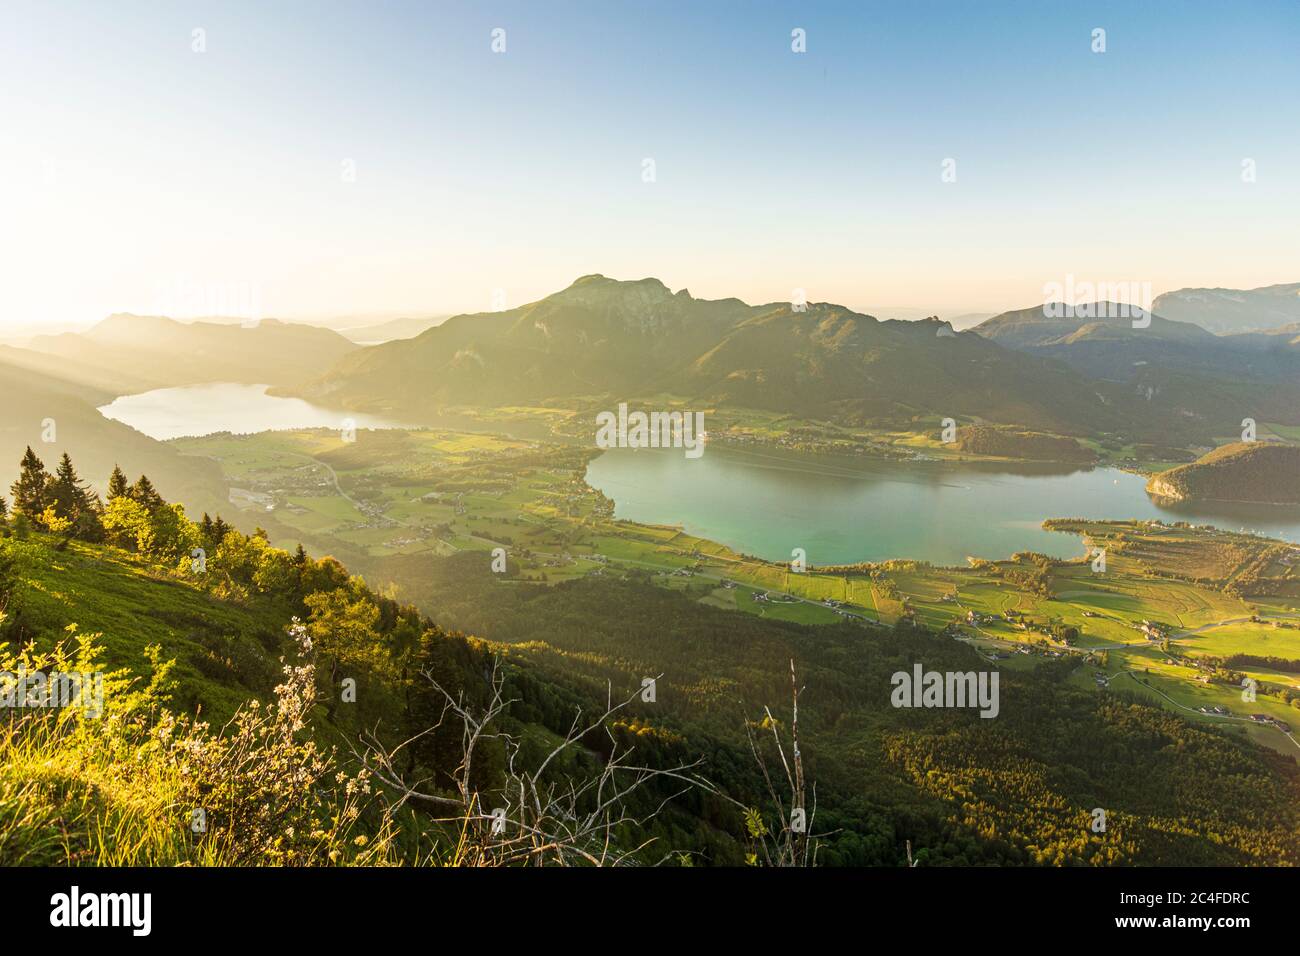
pixel 843 511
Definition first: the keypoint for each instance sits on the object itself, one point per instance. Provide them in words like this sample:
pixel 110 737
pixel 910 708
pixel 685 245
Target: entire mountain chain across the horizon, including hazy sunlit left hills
pixel 603 341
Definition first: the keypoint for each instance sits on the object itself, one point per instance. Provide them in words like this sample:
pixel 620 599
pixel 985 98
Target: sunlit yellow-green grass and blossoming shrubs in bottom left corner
pixel 122 789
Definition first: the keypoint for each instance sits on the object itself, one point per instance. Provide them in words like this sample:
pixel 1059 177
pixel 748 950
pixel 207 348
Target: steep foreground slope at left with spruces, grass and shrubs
pixel 289 738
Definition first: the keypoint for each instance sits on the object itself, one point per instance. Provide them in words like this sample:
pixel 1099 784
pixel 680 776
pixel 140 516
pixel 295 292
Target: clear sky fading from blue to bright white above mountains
pixel 311 159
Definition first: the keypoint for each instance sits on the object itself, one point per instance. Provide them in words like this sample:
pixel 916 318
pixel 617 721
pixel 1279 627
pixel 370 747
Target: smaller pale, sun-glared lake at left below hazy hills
pixel 197 410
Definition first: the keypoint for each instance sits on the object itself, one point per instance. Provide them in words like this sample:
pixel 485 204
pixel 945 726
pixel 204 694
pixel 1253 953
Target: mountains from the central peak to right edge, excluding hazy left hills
pixel 603 339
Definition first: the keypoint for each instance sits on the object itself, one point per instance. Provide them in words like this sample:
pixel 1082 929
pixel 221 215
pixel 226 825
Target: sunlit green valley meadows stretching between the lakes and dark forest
pixel 440 492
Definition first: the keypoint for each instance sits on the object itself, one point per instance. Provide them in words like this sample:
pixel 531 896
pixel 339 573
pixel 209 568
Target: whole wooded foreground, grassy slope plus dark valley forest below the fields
pixel 302 758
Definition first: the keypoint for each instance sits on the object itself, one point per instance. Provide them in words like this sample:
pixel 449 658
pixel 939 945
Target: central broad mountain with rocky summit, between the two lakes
pixel 603 338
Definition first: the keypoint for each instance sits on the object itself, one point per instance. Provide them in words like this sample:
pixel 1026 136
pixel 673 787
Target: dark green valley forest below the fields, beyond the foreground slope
pixel 1009 790
